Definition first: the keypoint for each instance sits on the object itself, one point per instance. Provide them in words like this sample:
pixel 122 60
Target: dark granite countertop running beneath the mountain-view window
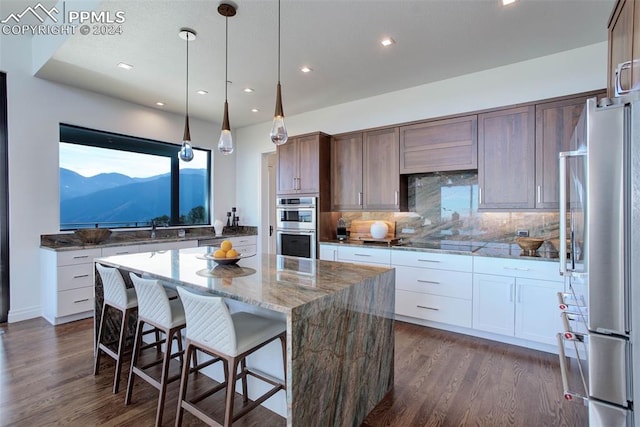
pixel 69 241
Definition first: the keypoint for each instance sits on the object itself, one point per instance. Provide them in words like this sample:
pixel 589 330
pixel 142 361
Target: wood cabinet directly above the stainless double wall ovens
pixel 303 165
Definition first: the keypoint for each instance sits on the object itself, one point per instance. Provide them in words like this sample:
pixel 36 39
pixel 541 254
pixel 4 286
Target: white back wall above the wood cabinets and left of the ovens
pixel 561 74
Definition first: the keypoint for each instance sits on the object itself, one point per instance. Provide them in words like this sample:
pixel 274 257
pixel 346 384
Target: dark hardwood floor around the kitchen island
pixel 441 379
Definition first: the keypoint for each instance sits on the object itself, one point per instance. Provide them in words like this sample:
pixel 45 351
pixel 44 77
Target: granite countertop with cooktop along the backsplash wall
pixel 458 247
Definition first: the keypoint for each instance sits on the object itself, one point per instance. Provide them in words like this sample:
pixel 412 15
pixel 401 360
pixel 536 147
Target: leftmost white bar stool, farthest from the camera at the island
pixel 117 296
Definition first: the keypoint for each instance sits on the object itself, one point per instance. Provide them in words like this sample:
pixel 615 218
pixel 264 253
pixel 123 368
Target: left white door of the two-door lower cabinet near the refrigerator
pixel 493 305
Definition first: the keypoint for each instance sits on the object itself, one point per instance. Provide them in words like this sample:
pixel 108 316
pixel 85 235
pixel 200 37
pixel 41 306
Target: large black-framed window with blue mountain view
pixel 118 181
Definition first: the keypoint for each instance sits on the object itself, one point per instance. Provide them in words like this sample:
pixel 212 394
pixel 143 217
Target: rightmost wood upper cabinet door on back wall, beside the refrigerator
pixel 555 122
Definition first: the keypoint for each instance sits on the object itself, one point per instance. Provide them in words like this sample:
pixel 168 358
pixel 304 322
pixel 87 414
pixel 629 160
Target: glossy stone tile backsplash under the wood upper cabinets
pixel 445 206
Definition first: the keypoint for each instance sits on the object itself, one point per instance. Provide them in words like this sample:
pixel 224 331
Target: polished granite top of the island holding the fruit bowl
pixel 275 282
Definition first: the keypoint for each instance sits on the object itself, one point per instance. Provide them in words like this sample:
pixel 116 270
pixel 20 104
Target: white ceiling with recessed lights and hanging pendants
pixel 339 40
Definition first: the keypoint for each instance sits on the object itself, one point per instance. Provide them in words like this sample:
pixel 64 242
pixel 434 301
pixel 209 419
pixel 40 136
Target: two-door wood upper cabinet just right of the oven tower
pixel 365 171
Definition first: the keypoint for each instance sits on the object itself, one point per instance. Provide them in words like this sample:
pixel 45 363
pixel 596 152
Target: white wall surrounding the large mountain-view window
pixel 35 109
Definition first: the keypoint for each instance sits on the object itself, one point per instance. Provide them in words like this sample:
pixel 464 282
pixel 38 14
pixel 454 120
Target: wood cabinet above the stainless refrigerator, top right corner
pixel 624 46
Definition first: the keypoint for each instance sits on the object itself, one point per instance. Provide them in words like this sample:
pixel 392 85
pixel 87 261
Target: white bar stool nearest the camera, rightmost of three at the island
pixel 212 329
